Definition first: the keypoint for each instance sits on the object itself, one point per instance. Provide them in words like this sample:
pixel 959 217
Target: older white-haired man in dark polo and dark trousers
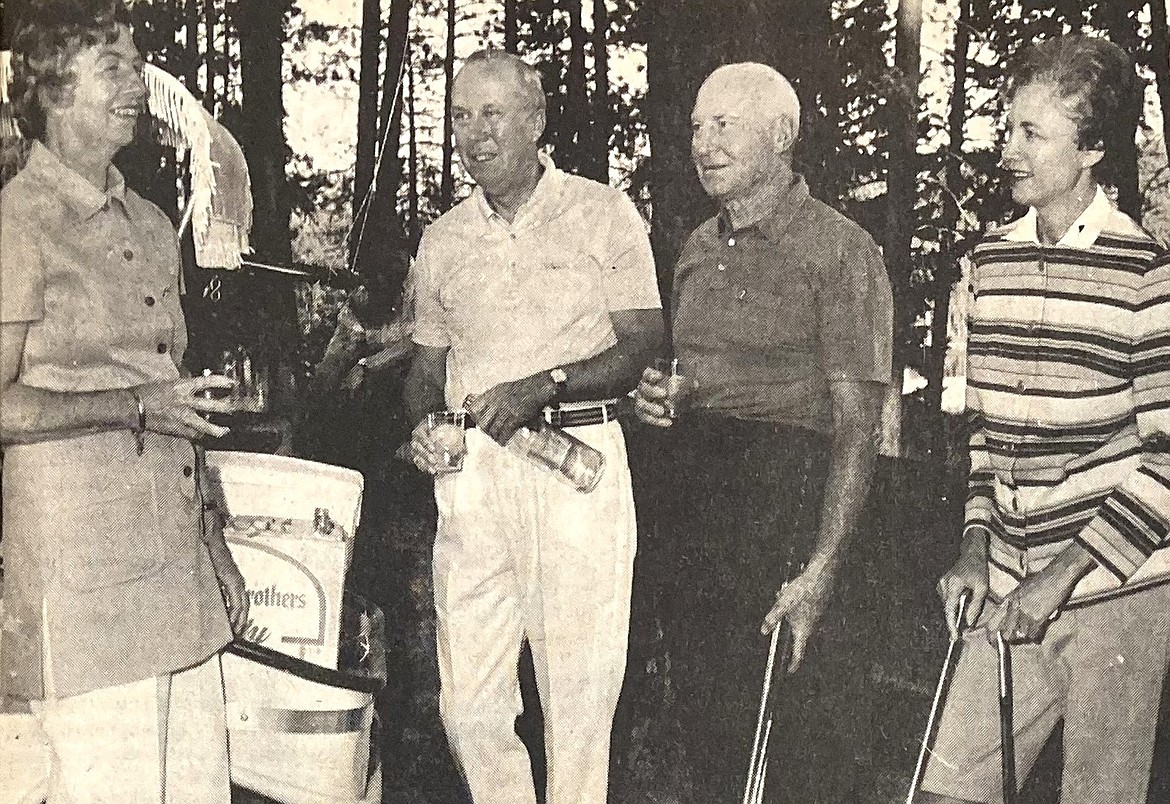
pixel 783 319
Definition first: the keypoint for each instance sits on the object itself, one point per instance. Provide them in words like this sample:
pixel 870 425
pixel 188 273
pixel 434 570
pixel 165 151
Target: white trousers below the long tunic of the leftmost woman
pixel 157 741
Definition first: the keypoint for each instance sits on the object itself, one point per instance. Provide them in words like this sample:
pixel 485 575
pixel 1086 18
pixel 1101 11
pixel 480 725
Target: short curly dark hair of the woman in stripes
pixel 1098 83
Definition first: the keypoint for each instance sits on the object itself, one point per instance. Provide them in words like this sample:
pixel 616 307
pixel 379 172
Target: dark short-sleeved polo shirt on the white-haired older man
pixel 767 317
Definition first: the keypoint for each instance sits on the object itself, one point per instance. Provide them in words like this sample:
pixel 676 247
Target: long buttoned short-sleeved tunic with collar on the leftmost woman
pixel 105 564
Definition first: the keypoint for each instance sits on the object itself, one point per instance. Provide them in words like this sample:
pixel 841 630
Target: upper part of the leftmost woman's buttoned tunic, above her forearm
pixel 94 276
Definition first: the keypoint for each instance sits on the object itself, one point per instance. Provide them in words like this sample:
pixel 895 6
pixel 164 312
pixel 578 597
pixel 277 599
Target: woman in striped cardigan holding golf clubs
pixel 1069 507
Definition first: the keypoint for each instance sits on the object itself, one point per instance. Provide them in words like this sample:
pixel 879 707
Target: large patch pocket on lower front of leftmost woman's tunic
pixel 109 528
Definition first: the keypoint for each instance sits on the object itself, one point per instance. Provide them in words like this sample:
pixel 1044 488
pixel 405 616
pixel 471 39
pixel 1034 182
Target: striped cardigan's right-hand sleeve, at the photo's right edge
pixel 1134 520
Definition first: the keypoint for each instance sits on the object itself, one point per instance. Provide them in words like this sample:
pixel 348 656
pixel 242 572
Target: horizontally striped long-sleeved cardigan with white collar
pixel 1069 388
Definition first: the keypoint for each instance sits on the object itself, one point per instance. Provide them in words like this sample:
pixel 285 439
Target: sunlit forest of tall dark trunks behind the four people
pixel 343 109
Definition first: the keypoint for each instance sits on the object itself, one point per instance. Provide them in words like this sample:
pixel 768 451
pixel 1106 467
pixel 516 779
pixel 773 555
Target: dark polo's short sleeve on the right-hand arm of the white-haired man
pixel 856 313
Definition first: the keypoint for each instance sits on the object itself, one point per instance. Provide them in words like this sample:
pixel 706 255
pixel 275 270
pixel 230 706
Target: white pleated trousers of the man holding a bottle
pixel 520 554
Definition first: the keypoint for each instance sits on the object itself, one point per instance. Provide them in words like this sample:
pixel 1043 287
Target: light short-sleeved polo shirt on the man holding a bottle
pixel 511 300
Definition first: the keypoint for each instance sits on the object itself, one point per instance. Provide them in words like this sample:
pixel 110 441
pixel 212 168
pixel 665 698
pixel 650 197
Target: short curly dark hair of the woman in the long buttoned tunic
pixel 46 37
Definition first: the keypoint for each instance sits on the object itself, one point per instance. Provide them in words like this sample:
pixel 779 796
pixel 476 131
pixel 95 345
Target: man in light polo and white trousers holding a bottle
pixel 539 290
